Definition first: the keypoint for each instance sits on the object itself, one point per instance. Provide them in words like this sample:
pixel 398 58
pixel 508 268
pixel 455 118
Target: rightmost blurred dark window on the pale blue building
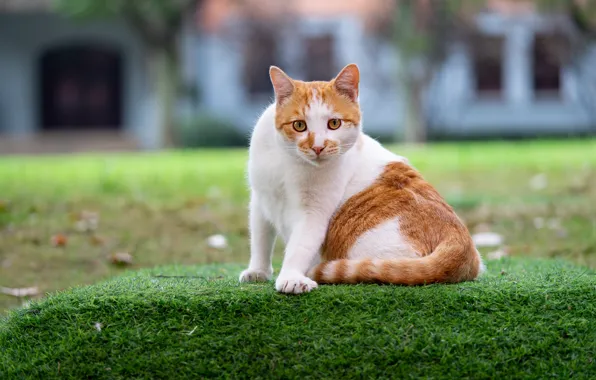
pixel 548 52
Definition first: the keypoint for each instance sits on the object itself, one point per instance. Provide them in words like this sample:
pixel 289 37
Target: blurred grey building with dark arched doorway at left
pixel 68 85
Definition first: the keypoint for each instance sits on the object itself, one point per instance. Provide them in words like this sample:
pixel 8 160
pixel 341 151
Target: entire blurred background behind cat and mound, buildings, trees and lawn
pixel 493 100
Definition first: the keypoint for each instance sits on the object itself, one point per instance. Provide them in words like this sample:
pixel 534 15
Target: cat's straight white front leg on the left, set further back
pixel 262 238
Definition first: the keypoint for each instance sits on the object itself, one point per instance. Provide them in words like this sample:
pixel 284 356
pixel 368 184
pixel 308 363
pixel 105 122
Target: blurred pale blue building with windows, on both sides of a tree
pixel 512 78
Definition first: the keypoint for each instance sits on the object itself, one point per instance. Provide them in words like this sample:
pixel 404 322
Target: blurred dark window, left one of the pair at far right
pixel 488 65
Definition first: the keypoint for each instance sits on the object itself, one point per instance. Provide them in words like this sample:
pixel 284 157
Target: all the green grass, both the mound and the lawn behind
pixel 529 317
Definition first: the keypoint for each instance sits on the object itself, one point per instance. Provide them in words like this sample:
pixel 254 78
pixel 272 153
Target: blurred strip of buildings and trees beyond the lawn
pixel 159 73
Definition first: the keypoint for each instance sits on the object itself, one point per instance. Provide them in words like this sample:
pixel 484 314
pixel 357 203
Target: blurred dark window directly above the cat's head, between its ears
pixel 319 58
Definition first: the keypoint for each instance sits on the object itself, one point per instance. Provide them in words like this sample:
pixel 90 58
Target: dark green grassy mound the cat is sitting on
pixel 524 318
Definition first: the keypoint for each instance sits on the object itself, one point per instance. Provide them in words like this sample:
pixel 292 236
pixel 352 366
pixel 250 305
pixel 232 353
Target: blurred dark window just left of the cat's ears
pixel 261 51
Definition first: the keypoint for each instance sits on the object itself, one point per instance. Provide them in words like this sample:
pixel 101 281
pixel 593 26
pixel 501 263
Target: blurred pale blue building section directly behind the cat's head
pixel 309 40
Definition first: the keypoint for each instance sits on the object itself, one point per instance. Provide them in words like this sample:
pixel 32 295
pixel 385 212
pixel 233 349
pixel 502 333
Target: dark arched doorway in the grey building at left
pixel 81 88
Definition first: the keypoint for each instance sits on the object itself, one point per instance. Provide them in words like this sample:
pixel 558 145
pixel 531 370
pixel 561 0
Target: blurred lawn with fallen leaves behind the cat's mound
pixel 161 207
